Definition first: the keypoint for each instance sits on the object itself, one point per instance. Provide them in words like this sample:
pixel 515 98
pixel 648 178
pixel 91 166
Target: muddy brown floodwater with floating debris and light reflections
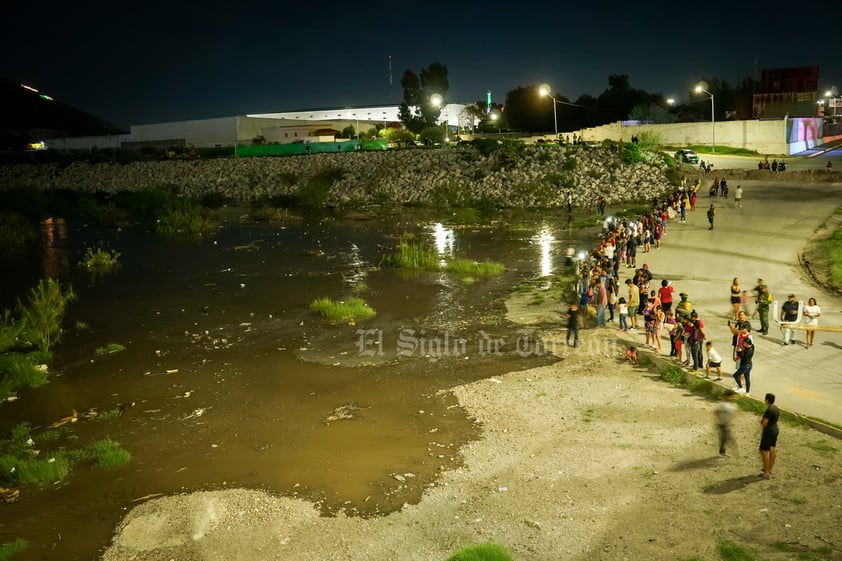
pixel 229 380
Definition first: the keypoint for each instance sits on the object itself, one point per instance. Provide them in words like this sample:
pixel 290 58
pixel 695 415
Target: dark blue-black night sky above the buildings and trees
pixel 152 61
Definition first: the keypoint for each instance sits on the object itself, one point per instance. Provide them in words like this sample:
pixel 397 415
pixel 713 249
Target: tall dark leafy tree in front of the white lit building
pixel 417 111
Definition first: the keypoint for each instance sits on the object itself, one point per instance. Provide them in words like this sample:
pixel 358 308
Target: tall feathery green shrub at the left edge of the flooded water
pixel 42 314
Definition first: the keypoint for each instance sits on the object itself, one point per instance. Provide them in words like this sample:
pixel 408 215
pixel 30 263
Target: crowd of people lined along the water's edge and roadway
pixel 640 304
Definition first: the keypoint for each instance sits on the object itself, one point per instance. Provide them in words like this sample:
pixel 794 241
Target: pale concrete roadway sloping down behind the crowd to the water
pixel 761 240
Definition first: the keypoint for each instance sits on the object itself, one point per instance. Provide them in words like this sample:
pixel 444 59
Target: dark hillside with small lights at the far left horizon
pixel 26 117
